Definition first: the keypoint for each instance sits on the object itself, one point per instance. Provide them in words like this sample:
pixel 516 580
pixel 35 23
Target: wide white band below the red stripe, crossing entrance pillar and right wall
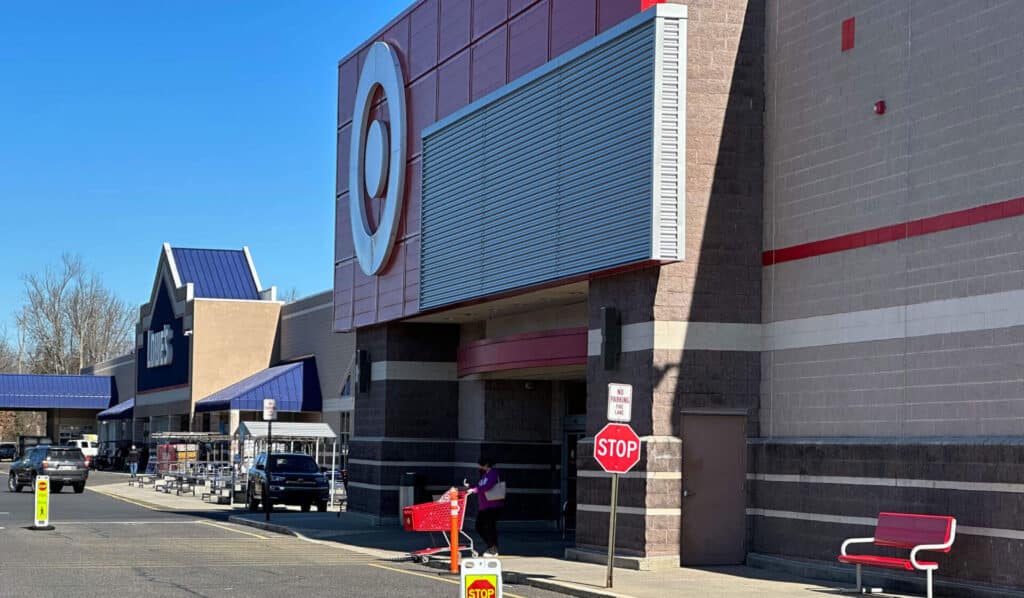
pixel 993 312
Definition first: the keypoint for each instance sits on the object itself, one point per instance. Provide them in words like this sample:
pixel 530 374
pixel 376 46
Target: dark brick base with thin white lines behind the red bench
pixel 834 484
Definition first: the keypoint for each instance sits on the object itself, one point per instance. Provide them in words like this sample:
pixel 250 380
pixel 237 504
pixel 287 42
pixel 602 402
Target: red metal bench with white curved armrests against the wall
pixel 914 533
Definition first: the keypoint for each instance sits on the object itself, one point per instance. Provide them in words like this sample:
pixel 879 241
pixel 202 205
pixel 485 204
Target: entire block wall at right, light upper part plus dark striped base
pixel 893 279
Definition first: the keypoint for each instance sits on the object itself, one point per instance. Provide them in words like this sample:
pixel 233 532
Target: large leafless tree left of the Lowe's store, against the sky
pixel 71 320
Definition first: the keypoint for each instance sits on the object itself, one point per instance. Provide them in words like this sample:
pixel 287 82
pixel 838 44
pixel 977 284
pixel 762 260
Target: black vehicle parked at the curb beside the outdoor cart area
pixel 293 480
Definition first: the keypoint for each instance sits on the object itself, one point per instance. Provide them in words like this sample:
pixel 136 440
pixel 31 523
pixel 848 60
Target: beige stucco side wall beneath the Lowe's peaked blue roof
pixel 232 340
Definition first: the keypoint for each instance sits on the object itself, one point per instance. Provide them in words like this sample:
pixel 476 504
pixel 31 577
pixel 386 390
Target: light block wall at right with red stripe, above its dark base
pixel 951 141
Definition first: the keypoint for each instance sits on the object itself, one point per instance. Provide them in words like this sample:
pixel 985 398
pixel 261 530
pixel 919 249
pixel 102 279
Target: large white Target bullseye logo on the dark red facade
pixel 377 167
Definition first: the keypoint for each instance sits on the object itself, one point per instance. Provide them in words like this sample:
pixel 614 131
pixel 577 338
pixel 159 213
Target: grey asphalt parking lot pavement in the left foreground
pixel 104 547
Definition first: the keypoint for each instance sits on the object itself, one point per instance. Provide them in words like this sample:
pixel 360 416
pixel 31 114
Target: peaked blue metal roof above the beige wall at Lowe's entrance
pixel 217 274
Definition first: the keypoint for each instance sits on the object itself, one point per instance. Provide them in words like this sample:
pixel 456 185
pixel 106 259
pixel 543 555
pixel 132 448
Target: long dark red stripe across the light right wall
pixel 969 218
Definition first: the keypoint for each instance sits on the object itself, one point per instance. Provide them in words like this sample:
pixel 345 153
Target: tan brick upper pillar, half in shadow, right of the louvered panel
pixel 720 280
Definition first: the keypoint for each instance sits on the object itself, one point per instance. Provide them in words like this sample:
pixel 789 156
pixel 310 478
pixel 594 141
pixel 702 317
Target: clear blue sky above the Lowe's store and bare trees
pixel 124 125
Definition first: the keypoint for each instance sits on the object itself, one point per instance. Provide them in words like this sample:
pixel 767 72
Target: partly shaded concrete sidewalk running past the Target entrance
pixel 534 559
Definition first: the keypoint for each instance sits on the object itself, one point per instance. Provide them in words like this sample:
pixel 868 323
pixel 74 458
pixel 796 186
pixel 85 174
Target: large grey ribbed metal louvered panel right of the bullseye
pixel 549 178
